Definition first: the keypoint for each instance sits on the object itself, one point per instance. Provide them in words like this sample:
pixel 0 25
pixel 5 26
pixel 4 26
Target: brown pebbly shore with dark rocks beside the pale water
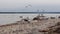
pixel 38 25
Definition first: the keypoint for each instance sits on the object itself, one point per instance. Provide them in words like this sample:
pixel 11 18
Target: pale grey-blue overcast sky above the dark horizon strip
pixel 20 5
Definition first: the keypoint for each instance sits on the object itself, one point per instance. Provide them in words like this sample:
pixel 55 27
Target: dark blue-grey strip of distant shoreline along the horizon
pixel 29 12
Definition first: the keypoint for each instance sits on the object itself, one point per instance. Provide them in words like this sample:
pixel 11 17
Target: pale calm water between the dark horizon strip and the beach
pixel 11 18
